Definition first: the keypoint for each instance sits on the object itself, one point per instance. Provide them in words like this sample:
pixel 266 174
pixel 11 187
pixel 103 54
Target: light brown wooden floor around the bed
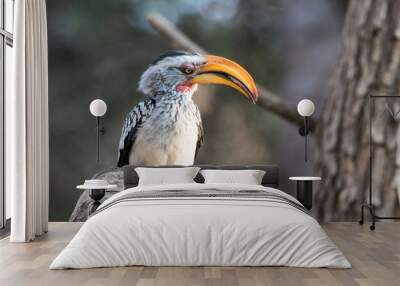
pixel 375 257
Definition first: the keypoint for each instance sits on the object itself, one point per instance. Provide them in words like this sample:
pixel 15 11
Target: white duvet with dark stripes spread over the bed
pixel 190 231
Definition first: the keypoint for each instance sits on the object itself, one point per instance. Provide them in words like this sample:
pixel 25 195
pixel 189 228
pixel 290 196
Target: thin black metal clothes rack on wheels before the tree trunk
pixel 369 205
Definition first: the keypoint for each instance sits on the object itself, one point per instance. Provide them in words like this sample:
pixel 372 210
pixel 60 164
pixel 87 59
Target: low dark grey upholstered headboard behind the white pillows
pixel 271 177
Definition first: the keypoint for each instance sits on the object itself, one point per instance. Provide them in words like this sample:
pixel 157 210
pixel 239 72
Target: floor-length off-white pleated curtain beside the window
pixel 27 144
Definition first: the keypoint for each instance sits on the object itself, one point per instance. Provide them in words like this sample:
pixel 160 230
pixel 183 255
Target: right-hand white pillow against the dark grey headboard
pixel 248 177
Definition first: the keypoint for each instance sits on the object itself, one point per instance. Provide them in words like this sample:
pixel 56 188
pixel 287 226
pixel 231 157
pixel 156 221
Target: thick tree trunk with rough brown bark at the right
pixel 369 64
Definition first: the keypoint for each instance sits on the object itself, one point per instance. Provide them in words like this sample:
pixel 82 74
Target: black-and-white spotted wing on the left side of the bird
pixel 133 120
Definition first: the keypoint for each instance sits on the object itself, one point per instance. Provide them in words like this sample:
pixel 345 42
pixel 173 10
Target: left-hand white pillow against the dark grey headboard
pixel 163 176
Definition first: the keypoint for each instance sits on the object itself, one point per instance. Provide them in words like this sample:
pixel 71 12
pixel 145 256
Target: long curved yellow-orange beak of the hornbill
pixel 219 70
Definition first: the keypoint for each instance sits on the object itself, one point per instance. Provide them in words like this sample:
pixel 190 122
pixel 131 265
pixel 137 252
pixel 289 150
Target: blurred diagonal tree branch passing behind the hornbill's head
pixel 266 99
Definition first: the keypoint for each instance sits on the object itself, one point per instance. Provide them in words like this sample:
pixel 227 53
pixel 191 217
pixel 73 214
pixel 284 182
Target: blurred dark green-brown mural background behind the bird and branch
pixel 99 48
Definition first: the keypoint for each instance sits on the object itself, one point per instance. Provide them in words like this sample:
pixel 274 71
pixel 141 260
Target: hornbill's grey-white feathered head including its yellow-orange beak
pixel 179 73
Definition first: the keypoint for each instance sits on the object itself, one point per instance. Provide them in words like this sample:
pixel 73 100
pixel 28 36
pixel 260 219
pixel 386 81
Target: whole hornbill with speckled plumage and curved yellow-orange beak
pixel 165 128
